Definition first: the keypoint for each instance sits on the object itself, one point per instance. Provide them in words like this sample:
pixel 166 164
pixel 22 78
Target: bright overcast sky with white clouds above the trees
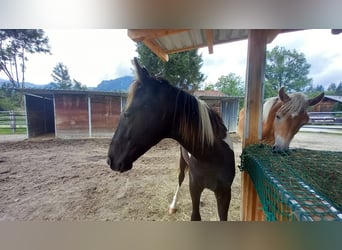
pixel 95 55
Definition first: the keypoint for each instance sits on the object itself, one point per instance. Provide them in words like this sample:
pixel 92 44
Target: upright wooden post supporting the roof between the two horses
pixel 251 209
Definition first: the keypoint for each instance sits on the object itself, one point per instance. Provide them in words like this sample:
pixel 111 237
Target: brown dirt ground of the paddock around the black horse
pixel 69 180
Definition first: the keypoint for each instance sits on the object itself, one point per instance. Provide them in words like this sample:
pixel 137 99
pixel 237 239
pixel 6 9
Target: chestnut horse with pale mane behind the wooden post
pixel 283 116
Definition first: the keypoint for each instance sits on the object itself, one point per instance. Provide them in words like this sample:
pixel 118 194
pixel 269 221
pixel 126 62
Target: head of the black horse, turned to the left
pixel 142 124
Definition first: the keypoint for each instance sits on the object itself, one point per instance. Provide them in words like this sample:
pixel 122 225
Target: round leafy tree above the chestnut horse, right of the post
pixel 285 68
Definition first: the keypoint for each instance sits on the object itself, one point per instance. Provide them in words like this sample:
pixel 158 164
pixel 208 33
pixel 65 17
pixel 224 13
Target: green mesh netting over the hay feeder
pixel 297 185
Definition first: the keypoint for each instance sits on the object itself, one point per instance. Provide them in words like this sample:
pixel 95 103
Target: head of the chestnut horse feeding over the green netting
pixel 290 115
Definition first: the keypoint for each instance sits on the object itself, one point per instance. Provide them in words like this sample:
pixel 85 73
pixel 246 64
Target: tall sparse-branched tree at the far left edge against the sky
pixel 15 44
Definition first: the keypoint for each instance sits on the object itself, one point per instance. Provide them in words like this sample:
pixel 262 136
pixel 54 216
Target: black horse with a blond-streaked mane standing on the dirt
pixel 156 110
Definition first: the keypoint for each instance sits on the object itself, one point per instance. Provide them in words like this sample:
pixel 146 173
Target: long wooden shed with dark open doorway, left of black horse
pixel 72 113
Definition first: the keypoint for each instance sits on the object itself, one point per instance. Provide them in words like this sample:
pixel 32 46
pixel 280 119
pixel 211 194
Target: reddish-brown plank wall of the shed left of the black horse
pixel 72 115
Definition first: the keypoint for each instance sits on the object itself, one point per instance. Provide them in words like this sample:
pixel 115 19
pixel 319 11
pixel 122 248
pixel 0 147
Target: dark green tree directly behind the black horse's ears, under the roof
pixel 182 69
